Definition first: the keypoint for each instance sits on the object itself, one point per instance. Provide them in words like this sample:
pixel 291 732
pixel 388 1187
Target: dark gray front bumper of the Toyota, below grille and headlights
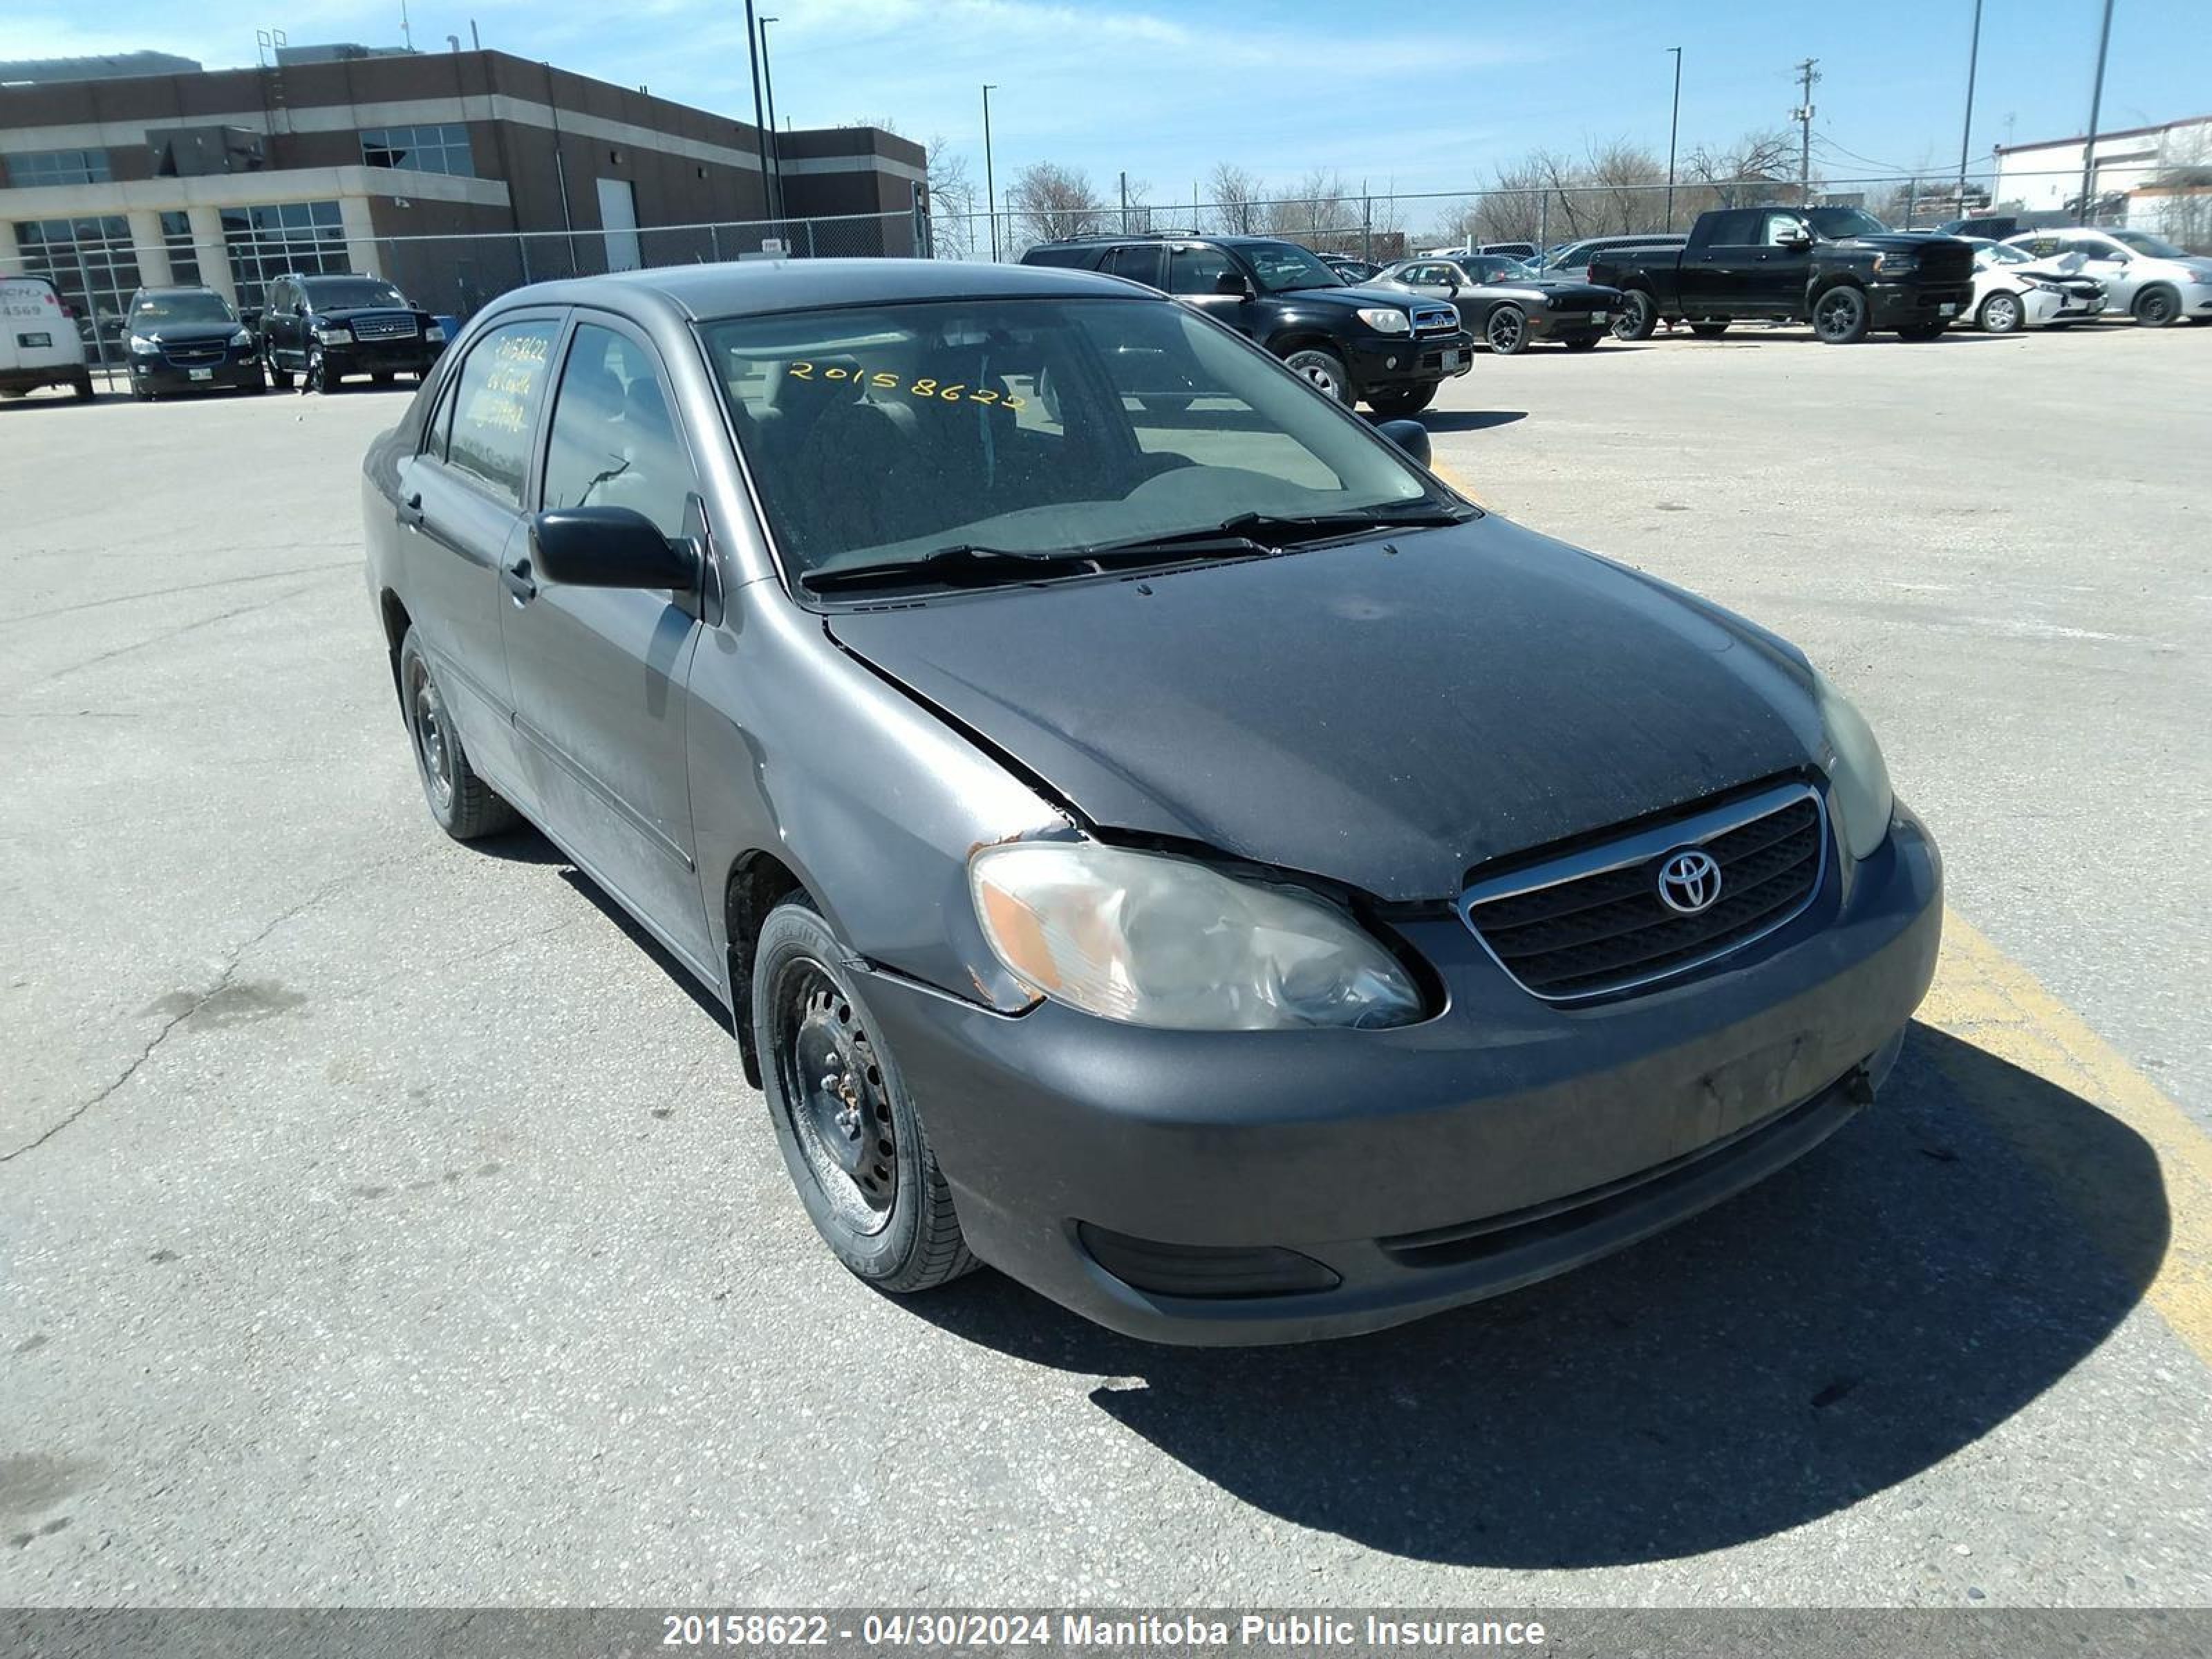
pixel 1426 1167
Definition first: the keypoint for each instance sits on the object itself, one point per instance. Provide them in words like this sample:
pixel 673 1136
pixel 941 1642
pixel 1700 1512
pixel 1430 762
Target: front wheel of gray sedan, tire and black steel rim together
pixel 848 1129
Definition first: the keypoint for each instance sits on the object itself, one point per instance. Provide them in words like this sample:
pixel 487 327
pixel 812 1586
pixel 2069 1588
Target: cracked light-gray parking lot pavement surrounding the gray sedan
pixel 386 1224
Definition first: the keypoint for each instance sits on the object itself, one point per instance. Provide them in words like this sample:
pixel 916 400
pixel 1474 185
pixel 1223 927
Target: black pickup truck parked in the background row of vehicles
pixel 1837 269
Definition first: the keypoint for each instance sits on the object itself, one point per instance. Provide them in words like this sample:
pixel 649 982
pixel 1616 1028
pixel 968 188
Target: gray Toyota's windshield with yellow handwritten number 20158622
pixel 1030 426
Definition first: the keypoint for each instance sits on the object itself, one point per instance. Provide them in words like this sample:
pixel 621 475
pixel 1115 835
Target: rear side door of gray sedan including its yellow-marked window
pixel 461 510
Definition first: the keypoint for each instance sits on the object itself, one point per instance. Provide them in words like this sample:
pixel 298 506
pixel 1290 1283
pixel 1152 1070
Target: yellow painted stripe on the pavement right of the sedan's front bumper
pixel 1985 999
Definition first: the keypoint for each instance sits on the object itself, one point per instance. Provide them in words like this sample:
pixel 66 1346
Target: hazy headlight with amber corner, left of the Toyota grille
pixel 1158 941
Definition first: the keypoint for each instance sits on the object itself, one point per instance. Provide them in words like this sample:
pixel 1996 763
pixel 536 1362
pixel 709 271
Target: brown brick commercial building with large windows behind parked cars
pixel 457 176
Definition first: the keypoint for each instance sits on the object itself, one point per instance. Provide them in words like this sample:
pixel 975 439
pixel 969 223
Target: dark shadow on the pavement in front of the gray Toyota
pixel 1846 1326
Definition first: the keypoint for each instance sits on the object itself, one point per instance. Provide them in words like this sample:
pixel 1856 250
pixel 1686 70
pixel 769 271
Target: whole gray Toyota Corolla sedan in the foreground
pixel 1171 851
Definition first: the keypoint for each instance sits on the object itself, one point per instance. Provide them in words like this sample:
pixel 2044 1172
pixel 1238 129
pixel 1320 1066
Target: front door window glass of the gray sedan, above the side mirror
pixel 614 441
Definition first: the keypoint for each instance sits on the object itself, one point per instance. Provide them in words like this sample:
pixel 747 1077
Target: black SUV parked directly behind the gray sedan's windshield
pixel 1357 344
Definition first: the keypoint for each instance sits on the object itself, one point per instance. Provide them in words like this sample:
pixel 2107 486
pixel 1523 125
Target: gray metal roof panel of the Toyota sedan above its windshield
pixel 700 293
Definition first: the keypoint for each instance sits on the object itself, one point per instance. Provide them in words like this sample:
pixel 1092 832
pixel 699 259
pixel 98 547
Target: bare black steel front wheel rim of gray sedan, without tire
pixel 835 1098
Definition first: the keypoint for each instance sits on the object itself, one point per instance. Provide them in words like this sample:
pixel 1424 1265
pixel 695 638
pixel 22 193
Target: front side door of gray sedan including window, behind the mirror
pixel 601 674
